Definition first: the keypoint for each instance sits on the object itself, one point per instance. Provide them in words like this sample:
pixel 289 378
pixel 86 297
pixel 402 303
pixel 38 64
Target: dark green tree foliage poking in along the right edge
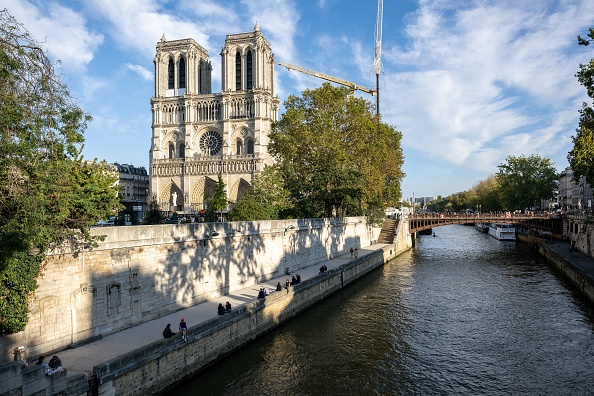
pixel 580 157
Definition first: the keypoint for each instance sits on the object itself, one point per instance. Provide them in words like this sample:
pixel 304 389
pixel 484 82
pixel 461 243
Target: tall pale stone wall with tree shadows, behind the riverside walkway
pixel 144 272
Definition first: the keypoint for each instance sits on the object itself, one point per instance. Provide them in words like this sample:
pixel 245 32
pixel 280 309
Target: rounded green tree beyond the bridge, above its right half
pixel 524 181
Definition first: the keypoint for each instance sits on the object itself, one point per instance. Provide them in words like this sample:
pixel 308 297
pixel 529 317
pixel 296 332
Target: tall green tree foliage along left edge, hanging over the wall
pixel 48 194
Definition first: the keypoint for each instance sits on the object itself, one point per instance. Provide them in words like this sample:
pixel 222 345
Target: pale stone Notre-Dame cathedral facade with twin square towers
pixel 199 135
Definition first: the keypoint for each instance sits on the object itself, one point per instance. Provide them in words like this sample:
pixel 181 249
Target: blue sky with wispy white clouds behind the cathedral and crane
pixel 466 82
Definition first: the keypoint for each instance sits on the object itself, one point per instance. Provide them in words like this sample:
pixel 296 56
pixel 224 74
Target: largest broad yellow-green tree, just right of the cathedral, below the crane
pixel 335 156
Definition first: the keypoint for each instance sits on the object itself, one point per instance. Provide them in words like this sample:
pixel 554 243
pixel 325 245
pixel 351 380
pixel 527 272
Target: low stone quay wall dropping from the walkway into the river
pixel 165 363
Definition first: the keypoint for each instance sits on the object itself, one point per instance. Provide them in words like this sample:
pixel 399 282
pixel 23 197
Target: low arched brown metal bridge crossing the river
pixel 420 222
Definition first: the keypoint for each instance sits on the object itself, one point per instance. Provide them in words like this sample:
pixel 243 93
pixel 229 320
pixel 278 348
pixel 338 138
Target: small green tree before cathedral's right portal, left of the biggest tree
pixel 265 200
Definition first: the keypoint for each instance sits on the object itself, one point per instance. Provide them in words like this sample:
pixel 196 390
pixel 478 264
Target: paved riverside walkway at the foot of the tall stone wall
pixel 82 358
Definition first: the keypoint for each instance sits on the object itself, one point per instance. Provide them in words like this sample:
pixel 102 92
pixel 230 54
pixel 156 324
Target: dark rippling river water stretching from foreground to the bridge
pixel 461 314
